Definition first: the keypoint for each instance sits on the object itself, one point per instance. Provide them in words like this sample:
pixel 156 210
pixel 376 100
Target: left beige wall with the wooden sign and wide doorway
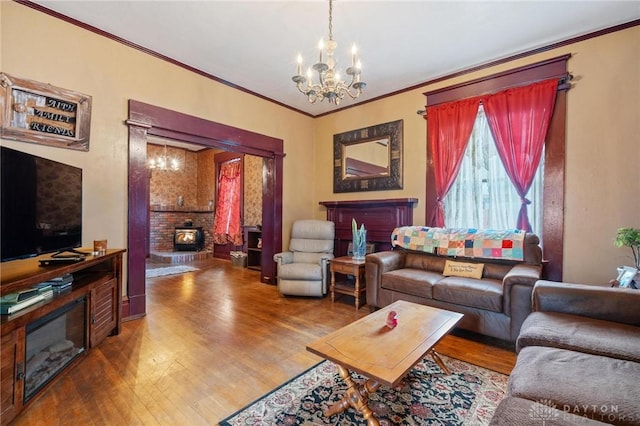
pixel 53 51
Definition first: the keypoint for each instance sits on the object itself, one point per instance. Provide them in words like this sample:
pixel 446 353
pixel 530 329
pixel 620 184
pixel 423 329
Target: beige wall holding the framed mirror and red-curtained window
pixel 603 149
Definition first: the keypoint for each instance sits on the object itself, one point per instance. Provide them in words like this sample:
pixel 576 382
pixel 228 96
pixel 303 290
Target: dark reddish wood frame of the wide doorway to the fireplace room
pixel 144 120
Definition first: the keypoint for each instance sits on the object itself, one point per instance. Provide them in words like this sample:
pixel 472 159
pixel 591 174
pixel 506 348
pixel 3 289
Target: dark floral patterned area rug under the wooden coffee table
pixel 426 396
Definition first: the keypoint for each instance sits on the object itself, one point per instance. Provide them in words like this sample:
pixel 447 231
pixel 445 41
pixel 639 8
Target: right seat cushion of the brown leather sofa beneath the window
pixel 483 294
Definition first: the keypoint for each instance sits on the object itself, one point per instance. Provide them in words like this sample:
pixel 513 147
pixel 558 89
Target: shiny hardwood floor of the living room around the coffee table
pixel 213 341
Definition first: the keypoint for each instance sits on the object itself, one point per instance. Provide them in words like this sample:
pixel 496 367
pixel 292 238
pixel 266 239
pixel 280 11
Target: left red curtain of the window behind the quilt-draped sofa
pixel 449 127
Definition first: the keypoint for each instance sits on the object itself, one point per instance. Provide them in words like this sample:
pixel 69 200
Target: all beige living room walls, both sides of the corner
pixel 602 188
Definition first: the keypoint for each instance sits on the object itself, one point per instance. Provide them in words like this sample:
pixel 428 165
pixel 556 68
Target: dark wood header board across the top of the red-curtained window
pixel 528 74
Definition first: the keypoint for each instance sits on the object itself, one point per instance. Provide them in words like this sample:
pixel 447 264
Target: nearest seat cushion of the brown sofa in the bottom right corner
pixel 596 387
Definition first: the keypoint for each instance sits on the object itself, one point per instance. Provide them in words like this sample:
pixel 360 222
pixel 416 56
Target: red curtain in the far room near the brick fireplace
pixel 226 227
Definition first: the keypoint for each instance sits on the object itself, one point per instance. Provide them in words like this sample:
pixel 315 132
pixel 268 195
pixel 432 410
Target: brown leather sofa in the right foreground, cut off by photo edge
pixel 578 359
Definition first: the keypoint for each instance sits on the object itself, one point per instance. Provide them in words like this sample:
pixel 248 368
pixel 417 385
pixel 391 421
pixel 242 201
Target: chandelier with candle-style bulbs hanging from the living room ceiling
pixel 330 86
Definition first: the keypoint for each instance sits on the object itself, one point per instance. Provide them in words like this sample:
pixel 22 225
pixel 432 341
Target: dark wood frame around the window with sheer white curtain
pixel 553 196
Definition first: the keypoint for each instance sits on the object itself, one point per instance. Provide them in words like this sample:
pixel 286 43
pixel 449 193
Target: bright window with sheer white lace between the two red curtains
pixel 482 196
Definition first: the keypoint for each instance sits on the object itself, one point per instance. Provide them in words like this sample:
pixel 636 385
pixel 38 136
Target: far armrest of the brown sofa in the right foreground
pixel 605 303
